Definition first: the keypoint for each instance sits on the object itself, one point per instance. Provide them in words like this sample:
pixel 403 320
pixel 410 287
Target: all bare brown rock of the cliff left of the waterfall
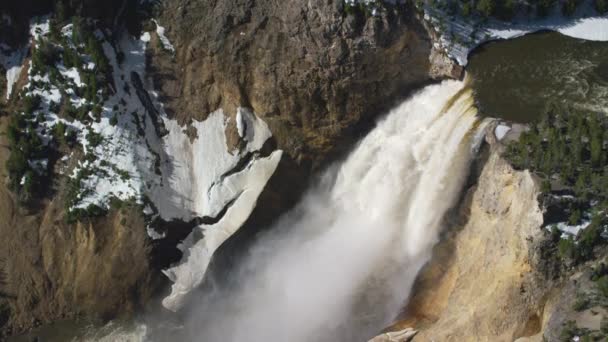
pixel 316 74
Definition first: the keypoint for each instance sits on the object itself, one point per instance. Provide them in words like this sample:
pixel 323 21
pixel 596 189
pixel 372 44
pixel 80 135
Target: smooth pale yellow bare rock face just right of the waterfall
pixel 486 280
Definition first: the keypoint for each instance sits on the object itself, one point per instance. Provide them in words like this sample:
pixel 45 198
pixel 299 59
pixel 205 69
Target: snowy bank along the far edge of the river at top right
pixel 461 35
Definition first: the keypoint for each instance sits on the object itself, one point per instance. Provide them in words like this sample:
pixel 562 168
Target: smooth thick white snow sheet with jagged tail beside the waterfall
pixel 204 179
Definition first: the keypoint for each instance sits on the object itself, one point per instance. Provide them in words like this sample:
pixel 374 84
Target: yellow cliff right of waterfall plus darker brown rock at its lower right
pixel 496 275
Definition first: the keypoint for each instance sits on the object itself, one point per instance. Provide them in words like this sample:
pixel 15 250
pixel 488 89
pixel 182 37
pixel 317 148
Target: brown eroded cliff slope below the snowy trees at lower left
pixel 50 270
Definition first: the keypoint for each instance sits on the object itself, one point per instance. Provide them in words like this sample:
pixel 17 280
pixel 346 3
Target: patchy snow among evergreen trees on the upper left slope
pixel 117 165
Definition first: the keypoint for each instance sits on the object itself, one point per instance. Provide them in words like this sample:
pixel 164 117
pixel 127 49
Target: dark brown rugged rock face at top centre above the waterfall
pixel 316 75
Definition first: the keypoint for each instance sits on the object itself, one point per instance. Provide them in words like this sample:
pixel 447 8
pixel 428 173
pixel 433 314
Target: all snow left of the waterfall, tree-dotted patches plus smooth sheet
pixel 134 151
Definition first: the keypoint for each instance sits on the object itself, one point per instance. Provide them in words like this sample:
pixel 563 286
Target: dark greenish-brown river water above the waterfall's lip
pixel 515 79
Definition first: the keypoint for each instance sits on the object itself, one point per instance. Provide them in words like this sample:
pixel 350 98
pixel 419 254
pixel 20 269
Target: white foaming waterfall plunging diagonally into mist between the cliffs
pixel 340 266
